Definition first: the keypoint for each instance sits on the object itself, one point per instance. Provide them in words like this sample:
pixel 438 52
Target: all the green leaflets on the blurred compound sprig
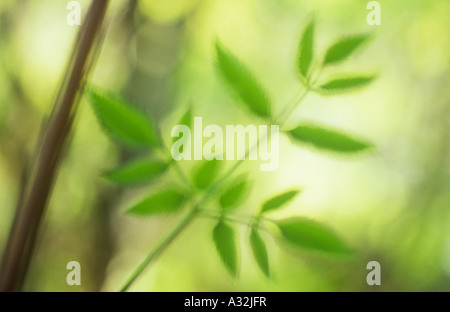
pixel 134 129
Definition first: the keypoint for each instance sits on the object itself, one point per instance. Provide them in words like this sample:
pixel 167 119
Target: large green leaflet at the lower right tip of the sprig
pixel 309 234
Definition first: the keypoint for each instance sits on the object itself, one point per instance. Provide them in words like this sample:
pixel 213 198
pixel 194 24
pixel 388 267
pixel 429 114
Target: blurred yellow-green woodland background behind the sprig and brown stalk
pixel 392 205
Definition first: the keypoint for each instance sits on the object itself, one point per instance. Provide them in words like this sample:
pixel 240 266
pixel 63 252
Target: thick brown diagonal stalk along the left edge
pixel 31 207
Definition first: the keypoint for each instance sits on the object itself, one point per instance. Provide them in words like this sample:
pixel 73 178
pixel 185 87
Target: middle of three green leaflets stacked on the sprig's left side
pixel 137 172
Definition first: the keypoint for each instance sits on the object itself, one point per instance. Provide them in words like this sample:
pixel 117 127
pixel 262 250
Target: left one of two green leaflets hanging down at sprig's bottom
pixel 223 236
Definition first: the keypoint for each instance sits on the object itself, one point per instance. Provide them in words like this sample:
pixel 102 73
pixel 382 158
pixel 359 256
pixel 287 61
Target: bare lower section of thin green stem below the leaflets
pixel 159 249
